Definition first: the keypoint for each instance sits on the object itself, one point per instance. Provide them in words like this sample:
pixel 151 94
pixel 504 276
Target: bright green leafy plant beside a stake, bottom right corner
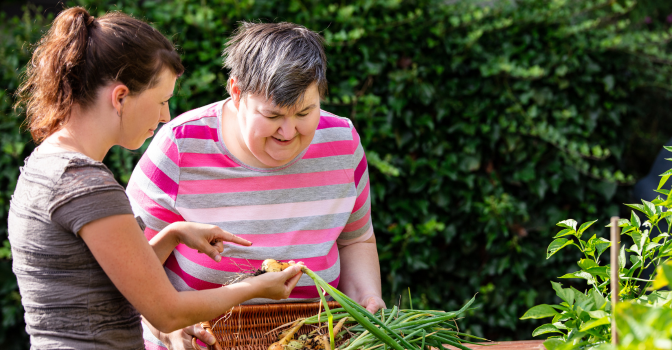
pixel 644 318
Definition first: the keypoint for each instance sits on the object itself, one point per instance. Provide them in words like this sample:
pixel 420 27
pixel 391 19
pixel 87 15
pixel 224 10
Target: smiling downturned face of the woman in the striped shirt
pixel 276 135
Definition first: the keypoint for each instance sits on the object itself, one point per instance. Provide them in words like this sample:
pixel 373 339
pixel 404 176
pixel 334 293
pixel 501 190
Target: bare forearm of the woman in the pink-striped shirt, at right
pixel 360 274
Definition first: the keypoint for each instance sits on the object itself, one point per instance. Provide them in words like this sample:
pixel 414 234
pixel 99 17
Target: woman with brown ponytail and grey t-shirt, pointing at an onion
pixel 84 268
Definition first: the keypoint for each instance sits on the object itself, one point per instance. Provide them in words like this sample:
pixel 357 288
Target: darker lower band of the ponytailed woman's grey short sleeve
pixel 82 210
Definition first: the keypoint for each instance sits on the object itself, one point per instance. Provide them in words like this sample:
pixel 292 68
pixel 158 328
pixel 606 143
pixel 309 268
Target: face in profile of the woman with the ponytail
pixel 142 113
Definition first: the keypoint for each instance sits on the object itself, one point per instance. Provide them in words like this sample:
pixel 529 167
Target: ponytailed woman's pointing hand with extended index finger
pixel 205 238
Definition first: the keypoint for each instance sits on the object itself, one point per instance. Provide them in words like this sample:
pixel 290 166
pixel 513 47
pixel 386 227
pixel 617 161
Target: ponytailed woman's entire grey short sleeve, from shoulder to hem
pixel 86 191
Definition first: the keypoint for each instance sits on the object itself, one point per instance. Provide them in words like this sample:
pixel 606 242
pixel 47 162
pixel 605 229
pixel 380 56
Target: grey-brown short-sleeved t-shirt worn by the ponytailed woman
pixel 69 301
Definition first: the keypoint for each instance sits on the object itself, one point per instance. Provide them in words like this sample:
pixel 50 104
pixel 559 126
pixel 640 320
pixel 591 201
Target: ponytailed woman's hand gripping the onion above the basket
pixel 276 285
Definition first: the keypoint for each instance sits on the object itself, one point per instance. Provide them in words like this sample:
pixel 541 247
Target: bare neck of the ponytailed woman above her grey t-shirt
pixel 83 133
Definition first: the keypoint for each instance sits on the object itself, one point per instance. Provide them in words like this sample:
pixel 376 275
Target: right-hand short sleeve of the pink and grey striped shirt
pixel 359 227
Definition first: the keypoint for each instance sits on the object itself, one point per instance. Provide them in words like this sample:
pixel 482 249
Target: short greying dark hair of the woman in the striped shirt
pixel 278 60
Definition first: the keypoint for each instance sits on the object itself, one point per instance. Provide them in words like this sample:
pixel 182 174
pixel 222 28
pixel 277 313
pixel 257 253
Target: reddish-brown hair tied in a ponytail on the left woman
pixel 80 54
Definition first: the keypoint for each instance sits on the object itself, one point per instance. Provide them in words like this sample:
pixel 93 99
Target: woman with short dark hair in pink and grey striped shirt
pixel 268 165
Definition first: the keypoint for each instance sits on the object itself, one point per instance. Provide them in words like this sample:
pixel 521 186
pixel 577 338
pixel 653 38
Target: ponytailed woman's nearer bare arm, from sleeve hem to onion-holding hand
pixel 124 254
